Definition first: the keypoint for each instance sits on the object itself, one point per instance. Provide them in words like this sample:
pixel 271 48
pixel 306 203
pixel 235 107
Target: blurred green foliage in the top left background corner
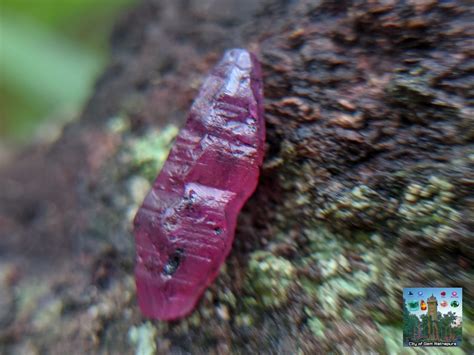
pixel 51 51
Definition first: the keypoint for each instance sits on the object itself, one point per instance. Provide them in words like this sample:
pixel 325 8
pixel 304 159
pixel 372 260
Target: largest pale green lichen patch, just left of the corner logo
pixel 340 282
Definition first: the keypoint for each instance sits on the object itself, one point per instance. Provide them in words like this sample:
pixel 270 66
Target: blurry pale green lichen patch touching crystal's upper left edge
pixel 149 152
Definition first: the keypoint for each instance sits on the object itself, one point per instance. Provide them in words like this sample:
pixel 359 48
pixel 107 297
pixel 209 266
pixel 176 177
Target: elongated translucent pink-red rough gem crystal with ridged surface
pixel 185 227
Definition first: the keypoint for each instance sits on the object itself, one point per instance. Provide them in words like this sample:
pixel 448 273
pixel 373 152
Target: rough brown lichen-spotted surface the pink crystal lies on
pixel 366 186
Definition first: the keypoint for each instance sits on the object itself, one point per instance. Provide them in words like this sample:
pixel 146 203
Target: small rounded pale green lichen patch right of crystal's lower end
pixel 270 278
